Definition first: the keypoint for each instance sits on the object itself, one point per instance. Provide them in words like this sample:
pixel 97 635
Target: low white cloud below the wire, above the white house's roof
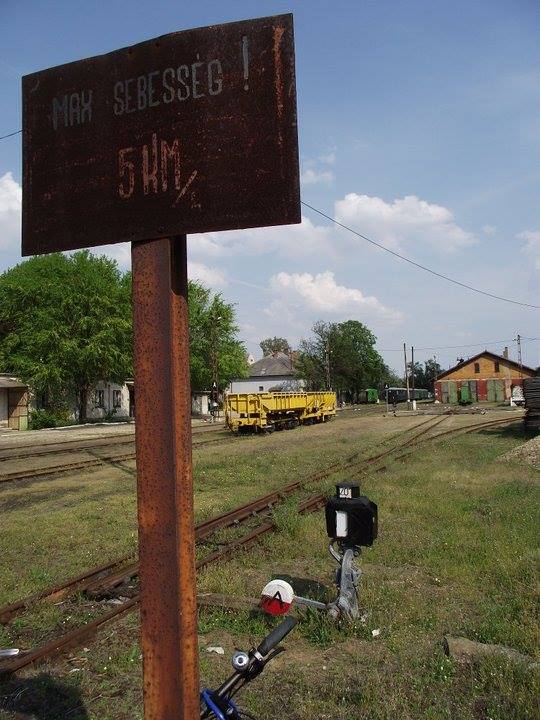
pixel 322 295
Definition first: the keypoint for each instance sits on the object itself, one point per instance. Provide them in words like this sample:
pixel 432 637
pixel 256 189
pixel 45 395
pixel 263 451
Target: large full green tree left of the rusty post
pixel 65 324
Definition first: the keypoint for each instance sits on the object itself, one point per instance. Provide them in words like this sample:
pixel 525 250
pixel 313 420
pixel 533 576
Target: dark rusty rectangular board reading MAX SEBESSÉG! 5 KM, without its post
pixel 191 132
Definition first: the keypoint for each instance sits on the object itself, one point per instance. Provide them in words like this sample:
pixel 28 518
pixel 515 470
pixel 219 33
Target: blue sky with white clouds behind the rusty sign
pixel 419 126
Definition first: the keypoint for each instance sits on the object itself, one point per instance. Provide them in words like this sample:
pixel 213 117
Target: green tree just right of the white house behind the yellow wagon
pixel 341 356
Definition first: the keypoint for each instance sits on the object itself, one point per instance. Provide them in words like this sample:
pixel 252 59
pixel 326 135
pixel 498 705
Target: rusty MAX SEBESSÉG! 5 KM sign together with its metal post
pixel 190 132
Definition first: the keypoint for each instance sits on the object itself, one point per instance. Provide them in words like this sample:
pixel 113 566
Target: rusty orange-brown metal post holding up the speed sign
pixel 164 480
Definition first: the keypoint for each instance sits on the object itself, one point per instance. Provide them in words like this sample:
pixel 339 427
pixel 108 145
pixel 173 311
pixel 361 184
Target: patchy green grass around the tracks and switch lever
pixel 457 554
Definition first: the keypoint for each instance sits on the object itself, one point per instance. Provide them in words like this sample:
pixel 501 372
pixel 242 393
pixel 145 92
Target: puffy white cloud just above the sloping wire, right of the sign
pixel 407 221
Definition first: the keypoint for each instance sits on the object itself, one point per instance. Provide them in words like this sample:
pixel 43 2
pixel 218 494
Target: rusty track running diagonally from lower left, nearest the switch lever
pixel 103 580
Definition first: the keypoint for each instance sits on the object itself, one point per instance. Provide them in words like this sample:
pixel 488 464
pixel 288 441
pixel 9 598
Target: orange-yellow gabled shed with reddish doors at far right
pixel 486 377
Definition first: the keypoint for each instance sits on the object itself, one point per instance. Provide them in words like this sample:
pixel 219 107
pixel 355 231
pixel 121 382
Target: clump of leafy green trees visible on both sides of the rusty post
pixel 66 324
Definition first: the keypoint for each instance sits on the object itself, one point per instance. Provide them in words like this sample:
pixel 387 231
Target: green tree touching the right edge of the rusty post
pixel 215 350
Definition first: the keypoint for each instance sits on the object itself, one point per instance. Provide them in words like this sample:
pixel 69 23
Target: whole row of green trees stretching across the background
pixel 66 324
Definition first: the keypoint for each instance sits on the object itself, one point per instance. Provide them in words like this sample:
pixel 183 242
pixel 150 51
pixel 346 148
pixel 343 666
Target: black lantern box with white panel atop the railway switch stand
pixel 351 518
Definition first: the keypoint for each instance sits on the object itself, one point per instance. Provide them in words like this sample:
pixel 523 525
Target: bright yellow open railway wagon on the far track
pixel 266 412
